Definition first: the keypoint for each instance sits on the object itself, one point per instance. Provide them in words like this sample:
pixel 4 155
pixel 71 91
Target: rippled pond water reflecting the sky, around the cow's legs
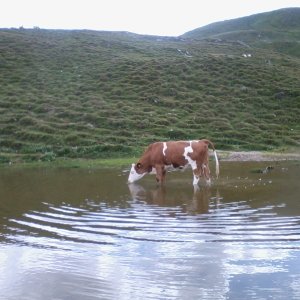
pixel 79 234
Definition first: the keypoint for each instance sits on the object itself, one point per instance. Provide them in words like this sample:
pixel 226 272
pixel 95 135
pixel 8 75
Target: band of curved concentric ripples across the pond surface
pixel 72 227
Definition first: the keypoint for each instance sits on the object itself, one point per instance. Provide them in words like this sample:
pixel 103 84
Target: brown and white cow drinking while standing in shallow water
pixel 177 154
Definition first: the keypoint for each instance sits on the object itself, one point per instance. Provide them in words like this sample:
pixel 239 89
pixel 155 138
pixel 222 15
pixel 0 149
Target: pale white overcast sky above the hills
pixel 154 17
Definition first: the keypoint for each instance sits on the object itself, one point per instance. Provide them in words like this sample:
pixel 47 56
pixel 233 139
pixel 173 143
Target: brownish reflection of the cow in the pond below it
pixel 191 203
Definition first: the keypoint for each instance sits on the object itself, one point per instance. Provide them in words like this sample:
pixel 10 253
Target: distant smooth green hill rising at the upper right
pixel 277 30
